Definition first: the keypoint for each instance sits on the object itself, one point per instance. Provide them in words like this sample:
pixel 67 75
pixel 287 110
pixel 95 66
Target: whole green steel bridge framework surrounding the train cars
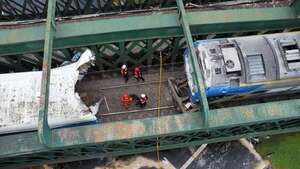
pixel 32 32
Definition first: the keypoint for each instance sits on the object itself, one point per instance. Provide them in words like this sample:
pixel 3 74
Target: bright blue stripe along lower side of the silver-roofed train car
pixel 224 90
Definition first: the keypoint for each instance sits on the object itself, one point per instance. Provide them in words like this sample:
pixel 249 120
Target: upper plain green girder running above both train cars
pixel 29 38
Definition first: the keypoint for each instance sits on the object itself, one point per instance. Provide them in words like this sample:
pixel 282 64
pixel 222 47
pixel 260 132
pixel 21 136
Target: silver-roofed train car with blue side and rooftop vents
pixel 252 65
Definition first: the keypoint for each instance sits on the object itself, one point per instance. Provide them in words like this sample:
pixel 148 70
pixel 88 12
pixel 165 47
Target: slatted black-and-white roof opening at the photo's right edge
pixel 291 53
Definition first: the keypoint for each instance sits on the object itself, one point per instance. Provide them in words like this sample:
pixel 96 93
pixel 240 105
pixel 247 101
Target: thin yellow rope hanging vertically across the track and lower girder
pixel 158 107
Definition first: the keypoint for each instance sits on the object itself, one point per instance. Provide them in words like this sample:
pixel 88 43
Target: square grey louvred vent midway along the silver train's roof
pixel 256 65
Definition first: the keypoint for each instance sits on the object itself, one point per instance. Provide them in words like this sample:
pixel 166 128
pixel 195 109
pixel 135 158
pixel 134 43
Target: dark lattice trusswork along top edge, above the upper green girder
pixel 36 9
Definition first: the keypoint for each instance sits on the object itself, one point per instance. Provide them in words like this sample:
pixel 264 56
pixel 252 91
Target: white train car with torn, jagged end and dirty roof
pixel 20 98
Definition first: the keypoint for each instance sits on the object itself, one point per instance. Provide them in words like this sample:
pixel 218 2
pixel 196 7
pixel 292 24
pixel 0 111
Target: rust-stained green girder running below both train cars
pixel 136 136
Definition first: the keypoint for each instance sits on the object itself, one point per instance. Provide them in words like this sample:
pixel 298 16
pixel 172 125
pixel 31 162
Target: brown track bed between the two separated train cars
pixel 109 91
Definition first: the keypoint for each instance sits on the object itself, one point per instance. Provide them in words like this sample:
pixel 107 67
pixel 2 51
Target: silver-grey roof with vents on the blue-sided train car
pixel 250 59
